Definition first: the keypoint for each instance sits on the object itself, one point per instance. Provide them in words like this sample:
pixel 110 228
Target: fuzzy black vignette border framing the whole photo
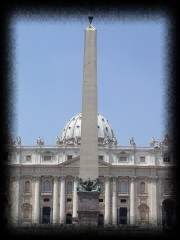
pixel 66 9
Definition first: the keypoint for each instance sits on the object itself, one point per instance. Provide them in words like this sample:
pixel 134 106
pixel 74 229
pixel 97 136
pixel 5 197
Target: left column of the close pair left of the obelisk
pixel 55 200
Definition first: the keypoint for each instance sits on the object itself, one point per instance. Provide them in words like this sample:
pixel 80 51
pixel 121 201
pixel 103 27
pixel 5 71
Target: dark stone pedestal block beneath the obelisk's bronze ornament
pixel 88 205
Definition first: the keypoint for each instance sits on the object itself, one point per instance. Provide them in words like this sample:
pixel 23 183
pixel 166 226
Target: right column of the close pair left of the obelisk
pixel 62 200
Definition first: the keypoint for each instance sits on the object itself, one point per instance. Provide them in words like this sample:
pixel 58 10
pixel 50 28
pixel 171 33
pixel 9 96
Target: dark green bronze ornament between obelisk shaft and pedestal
pixel 89 186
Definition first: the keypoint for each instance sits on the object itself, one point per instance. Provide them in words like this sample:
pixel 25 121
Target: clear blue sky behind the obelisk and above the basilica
pixel 131 75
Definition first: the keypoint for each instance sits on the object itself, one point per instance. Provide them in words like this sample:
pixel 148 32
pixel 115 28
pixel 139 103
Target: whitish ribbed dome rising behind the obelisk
pixel 71 134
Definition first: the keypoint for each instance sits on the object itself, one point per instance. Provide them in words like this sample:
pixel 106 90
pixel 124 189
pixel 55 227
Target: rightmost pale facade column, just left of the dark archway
pixel 153 201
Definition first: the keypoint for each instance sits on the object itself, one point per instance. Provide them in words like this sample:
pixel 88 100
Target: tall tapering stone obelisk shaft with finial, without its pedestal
pixel 89 130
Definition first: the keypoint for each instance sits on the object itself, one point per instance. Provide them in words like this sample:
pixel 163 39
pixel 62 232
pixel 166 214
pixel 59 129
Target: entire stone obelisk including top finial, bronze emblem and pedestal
pixel 88 188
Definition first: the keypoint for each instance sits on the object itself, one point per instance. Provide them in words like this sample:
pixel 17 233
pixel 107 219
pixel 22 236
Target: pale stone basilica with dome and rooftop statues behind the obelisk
pixel 136 185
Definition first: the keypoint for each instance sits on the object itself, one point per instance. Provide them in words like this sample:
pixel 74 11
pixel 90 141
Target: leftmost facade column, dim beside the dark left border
pixel 15 199
